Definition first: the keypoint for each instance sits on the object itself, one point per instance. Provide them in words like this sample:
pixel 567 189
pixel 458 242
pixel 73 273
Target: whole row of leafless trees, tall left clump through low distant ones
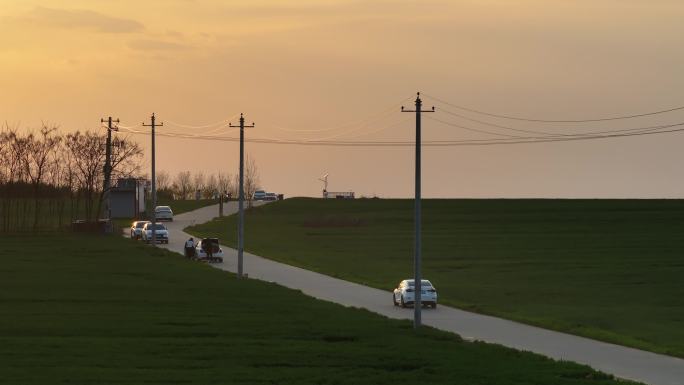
pixel 49 178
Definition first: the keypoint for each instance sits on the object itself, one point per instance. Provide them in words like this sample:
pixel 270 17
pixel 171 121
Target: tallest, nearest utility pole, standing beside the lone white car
pixel 417 278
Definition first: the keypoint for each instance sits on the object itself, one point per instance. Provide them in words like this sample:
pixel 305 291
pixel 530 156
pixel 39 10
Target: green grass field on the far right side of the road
pixel 607 269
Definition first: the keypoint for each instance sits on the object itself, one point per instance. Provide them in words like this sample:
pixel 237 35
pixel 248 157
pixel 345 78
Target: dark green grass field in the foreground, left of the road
pixel 96 310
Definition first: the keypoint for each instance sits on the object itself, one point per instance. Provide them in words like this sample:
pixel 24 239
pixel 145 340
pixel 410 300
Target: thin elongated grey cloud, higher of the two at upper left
pixel 65 18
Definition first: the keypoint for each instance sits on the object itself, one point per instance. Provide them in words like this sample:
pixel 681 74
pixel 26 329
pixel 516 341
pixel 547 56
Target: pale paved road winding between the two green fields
pixel 623 362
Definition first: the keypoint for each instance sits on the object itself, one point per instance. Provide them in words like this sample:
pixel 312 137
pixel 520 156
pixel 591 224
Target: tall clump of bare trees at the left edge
pixel 49 178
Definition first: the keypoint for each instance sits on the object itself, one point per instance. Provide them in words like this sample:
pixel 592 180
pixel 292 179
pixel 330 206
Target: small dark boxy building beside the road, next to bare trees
pixel 128 198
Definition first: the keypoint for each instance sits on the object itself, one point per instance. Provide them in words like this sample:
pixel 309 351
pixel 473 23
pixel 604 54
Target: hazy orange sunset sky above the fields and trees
pixel 342 69
